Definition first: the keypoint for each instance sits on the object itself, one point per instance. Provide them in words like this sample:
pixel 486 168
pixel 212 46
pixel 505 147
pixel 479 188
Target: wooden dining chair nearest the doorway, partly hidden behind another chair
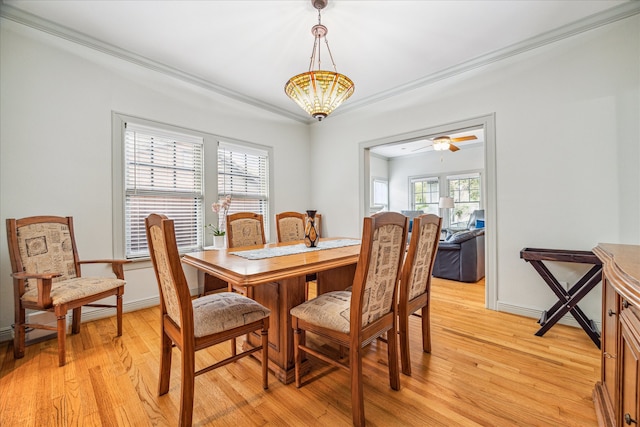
pixel 415 283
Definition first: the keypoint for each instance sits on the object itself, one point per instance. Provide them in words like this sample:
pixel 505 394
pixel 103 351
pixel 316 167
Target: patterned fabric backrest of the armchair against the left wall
pixel 46 248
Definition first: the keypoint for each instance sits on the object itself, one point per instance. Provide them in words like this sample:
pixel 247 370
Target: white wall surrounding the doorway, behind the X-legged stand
pixel 567 151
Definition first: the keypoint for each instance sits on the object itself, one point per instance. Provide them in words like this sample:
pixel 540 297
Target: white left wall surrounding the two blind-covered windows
pixel 55 142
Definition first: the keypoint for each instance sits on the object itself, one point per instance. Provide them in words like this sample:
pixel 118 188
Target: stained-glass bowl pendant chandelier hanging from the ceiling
pixel 318 91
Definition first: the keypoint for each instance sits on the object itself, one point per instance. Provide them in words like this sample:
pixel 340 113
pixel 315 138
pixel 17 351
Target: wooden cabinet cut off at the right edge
pixel 617 394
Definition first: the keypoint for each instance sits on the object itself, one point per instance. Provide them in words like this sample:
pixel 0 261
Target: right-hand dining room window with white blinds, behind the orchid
pixel 243 173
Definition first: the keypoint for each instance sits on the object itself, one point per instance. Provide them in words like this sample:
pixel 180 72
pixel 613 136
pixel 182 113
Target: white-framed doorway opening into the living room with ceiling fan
pixel 395 166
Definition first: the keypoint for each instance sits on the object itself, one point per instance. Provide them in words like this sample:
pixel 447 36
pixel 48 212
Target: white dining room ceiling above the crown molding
pixel 249 49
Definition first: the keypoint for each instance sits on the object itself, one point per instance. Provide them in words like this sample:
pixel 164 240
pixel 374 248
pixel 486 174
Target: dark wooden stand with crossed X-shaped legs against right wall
pixel 567 299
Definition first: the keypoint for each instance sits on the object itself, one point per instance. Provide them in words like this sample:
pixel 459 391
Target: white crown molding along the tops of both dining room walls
pixel 614 14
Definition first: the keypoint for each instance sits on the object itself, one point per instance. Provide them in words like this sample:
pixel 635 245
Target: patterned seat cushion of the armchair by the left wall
pixel 65 291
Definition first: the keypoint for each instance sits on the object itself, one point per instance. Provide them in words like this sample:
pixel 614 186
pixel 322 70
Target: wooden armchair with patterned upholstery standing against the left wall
pixel 46 276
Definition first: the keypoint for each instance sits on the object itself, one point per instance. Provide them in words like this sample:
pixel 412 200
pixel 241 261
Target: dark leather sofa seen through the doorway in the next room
pixel 461 257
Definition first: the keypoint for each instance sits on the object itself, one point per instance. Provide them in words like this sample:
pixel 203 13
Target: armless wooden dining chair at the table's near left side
pixel 195 324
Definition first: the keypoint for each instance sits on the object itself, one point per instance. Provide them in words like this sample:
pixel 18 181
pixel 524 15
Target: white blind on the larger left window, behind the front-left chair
pixel 163 174
